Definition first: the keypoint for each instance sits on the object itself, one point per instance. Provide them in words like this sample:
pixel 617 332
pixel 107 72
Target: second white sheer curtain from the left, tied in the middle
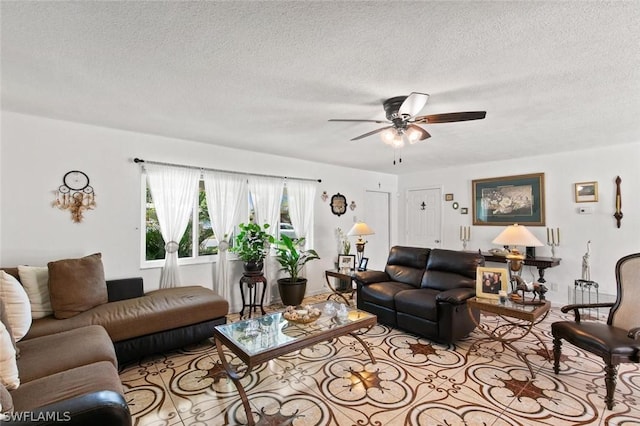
pixel 226 193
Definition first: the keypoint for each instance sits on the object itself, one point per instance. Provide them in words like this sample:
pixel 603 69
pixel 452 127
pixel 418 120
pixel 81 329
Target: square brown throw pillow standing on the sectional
pixel 76 285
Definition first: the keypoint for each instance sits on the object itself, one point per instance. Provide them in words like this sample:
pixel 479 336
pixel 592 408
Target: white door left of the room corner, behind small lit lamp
pixel 377 207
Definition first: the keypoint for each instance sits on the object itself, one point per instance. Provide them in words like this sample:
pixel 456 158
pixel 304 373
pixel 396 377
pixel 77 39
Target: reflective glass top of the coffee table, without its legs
pixel 272 331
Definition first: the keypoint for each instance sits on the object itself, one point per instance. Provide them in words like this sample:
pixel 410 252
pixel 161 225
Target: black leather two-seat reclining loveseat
pixel 423 291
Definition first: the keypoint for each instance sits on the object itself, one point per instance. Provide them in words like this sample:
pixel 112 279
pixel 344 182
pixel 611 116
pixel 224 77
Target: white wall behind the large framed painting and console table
pixel 561 172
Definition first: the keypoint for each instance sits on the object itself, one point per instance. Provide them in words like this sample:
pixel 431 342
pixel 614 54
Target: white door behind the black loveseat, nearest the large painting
pixel 424 207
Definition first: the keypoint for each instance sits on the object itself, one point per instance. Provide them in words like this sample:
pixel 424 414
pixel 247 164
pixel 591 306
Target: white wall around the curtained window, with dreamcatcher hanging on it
pixel 36 153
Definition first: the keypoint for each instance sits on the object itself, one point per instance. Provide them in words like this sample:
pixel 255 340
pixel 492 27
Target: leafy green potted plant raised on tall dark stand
pixel 251 245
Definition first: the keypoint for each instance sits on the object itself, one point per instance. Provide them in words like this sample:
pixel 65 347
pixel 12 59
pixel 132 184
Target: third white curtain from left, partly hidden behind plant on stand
pixel 266 194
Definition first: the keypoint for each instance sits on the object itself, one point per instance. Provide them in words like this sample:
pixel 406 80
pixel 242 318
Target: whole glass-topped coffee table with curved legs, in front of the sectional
pixel 255 341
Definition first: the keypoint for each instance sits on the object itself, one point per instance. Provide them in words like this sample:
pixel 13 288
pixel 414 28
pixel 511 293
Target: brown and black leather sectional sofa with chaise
pixel 68 367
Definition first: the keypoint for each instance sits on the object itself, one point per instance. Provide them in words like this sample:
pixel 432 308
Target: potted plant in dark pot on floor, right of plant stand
pixel 292 259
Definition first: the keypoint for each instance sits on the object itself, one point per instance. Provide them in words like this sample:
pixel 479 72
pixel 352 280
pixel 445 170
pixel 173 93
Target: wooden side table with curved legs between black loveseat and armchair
pixel 519 321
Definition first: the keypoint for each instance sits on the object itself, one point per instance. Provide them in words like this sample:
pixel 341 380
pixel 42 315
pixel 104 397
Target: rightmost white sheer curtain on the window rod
pixel 301 195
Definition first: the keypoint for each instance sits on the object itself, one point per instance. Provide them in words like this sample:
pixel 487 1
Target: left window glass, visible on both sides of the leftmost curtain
pixel 204 239
